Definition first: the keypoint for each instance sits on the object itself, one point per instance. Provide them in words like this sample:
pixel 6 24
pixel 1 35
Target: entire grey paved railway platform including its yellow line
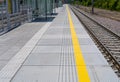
pixel 54 51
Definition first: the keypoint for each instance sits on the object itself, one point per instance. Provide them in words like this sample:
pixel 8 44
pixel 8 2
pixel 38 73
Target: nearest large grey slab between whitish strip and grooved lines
pixel 37 74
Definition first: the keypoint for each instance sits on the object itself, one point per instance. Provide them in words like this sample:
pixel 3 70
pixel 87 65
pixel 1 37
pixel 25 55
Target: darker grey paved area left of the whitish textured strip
pixel 13 41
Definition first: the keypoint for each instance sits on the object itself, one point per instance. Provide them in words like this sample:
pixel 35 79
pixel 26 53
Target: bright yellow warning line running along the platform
pixel 80 63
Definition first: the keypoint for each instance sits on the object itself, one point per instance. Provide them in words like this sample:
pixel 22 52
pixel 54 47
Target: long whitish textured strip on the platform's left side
pixel 8 72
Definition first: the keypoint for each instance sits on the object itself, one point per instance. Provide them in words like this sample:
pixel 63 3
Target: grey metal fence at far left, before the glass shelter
pixel 12 15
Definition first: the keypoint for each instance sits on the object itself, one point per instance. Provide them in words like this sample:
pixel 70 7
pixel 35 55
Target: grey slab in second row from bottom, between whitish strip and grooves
pixel 43 59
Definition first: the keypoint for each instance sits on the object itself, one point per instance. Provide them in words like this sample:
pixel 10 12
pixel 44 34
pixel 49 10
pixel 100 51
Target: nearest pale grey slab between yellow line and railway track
pixel 102 74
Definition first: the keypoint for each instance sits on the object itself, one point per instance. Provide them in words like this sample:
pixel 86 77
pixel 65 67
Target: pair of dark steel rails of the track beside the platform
pixel 107 52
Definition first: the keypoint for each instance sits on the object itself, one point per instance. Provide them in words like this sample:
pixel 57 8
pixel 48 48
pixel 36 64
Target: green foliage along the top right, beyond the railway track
pixel 105 4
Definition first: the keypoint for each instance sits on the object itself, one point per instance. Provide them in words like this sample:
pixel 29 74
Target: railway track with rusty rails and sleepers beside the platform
pixel 107 41
